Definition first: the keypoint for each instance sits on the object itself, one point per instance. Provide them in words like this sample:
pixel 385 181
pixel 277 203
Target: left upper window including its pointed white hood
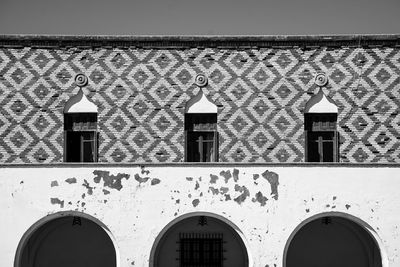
pixel 80 130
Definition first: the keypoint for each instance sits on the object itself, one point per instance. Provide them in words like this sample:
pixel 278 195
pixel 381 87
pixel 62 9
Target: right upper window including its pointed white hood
pixel 321 136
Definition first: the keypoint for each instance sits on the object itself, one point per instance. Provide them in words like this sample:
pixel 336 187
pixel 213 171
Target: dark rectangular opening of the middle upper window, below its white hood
pixel 201 138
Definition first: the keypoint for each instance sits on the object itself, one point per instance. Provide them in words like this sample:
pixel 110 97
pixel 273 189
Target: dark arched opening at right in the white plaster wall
pixel 331 240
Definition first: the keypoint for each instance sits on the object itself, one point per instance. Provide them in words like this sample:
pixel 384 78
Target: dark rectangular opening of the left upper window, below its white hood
pixel 81 137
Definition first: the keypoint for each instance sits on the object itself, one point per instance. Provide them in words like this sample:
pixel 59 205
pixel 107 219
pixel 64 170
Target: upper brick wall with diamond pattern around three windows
pixel 141 94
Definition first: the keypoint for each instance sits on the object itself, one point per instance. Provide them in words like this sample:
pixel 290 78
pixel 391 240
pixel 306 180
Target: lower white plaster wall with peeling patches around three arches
pixel 149 198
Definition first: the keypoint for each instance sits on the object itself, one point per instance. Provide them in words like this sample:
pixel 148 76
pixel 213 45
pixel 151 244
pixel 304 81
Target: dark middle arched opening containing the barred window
pixel 199 240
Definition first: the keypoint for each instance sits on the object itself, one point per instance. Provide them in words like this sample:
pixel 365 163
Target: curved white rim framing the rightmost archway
pixel 361 223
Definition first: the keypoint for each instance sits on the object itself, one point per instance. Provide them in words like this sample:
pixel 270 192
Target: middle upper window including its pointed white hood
pixel 201 135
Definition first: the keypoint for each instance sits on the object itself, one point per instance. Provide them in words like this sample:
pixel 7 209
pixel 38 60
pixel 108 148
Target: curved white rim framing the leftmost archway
pixel 31 230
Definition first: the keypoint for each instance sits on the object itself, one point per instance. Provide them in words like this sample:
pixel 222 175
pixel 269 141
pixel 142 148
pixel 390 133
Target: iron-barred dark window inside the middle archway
pixel 201 250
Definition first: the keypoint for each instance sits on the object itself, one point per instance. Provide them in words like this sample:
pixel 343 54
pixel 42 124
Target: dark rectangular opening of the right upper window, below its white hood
pixel 321 137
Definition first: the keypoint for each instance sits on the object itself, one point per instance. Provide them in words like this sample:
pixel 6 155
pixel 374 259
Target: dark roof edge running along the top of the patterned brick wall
pixel 200 40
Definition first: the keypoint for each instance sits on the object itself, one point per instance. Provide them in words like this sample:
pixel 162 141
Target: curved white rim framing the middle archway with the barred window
pixel 234 227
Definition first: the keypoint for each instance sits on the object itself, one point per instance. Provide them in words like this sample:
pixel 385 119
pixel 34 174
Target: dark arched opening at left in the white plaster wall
pixel 66 241
